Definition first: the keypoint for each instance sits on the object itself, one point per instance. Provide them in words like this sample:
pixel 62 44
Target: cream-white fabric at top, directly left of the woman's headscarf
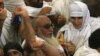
pixel 61 7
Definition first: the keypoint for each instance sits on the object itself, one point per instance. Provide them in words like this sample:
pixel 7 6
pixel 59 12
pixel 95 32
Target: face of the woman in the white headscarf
pixel 77 22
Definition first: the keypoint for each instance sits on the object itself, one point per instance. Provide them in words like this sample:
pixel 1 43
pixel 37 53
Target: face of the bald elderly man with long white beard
pixel 46 27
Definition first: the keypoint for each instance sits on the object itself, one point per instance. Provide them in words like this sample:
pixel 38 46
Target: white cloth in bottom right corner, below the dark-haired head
pixel 86 51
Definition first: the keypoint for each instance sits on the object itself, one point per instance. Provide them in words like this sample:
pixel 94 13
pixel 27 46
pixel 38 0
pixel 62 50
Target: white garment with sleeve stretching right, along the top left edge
pixel 32 11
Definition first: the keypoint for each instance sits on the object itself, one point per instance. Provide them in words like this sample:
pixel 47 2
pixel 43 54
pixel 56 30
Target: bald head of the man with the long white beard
pixel 44 26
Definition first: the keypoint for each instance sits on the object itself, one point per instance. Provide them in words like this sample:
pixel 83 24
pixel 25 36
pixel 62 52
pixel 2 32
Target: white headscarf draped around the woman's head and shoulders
pixel 77 36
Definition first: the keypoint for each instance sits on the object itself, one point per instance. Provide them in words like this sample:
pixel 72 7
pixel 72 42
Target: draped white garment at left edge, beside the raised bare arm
pixel 8 33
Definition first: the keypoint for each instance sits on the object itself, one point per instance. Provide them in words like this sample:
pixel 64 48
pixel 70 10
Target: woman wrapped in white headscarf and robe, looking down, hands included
pixel 75 34
